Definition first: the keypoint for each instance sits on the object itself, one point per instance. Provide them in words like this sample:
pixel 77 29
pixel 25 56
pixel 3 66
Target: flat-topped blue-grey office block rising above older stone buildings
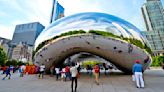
pixel 27 33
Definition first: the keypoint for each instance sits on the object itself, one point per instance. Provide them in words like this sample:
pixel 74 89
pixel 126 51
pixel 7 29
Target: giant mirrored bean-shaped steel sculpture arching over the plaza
pixel 104 35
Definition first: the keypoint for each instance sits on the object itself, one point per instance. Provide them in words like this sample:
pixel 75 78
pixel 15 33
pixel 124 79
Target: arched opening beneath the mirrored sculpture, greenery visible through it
pixel 83 57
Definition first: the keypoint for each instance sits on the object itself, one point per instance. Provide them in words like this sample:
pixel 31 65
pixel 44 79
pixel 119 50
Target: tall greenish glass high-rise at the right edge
pixel 153 15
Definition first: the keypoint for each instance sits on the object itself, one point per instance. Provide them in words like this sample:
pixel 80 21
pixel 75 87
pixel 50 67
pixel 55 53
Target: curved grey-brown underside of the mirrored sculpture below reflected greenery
pixel 114 50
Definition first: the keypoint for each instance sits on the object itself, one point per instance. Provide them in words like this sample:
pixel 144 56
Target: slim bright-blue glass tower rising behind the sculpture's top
pixel 57 11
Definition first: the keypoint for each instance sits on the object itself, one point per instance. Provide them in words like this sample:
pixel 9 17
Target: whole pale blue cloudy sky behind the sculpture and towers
pixel 13 12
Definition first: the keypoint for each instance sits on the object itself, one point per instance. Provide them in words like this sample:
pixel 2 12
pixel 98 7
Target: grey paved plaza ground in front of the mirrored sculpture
pixel 115 82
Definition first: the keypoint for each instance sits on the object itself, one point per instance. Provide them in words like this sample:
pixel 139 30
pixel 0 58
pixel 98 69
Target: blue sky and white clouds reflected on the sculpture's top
pixel 91 21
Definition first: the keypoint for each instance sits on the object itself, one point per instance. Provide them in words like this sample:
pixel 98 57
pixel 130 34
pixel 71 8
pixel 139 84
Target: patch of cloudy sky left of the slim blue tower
pixel 26 11
